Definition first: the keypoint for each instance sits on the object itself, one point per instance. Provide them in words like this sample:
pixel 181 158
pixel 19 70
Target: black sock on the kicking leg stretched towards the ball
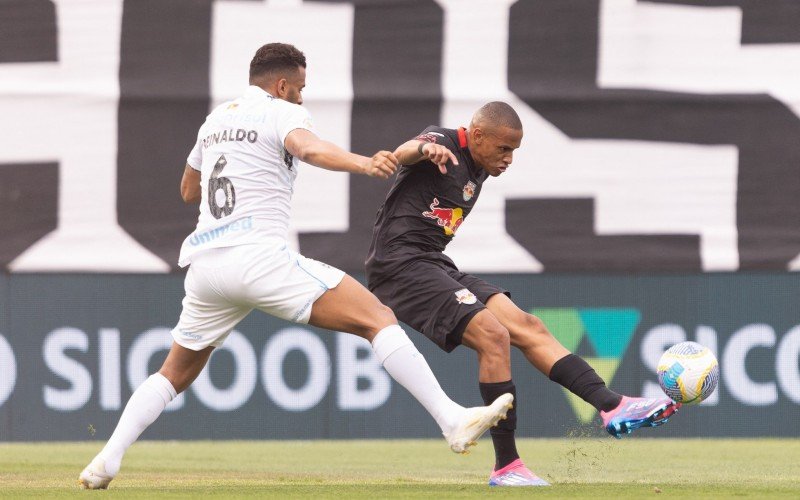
pixel 578 377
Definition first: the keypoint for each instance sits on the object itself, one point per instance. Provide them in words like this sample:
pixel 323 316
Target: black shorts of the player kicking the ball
pixel 436 299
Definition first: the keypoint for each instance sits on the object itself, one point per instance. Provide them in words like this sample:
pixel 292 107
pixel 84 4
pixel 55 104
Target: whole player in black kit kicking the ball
pixel 439 181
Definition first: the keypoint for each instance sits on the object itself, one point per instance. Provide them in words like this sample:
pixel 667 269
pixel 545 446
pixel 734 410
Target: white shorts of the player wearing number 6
pixel 224 284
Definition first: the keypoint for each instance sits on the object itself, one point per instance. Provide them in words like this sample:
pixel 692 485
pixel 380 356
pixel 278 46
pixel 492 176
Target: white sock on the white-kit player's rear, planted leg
pixel 146 404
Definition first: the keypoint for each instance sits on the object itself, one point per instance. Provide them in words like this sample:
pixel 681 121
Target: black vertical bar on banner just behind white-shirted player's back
pixel 164 98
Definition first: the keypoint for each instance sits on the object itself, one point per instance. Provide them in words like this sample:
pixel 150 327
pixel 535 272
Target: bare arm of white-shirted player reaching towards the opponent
pixel 315 151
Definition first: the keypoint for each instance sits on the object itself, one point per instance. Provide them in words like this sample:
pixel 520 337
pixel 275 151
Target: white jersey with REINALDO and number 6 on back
pixel 247 176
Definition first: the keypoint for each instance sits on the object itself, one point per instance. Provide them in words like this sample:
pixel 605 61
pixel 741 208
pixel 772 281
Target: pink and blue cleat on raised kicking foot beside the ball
pixel 634 413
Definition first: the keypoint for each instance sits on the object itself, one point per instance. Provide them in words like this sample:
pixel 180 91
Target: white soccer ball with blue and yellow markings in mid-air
pixel 688 372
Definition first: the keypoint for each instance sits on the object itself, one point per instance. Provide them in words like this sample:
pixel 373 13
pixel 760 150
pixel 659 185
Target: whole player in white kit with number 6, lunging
pixel 242 170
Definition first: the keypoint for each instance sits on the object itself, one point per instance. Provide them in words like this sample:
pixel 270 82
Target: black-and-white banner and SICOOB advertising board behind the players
pixel 656 198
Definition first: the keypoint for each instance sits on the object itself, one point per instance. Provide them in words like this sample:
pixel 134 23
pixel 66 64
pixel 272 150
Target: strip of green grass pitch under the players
pixel 577 468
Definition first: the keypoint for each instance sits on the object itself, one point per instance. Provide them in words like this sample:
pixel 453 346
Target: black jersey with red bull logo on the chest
pixel 424 208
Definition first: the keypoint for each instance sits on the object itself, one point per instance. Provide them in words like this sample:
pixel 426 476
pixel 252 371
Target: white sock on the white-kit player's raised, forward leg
pixel 408 367
